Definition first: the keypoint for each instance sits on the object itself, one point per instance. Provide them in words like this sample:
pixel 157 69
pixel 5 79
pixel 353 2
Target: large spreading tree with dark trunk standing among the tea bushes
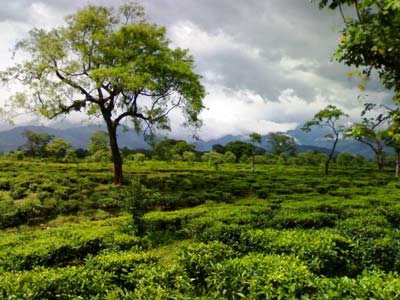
pixel 109 63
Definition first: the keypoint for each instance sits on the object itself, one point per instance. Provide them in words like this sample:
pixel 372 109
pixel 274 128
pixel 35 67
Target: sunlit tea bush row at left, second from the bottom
pixel 66 244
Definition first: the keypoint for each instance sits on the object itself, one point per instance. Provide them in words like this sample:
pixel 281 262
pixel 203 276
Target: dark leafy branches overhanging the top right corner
pixel 370 38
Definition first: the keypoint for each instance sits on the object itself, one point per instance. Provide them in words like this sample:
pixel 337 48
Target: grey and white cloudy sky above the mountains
pixel 265 63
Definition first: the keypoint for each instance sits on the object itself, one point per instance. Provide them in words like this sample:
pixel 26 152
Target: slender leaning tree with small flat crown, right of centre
pixel 328 117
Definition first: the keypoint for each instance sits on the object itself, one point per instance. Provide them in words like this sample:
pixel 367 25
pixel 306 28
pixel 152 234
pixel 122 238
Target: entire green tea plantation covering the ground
pixel 282 232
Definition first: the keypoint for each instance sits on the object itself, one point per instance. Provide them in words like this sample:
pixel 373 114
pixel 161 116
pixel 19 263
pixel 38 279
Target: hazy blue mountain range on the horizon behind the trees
pixel 79 137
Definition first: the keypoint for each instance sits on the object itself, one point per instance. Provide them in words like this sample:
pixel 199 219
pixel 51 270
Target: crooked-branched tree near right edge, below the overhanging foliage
pixel 370 132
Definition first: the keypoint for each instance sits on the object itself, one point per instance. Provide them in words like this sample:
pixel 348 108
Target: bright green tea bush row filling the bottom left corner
pixel 93 280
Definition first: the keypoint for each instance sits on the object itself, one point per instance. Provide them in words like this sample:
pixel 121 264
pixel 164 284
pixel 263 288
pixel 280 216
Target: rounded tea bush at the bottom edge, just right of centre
pixel 258 276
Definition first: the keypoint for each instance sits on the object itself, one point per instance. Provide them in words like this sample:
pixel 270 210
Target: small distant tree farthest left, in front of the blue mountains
pixel 36 143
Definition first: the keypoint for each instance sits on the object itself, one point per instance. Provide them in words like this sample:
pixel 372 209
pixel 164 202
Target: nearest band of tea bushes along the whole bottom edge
pixel 202 271
